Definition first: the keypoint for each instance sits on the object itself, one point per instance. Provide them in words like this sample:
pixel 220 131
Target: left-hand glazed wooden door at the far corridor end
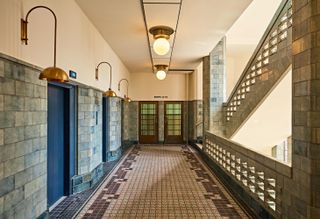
pixel 148 122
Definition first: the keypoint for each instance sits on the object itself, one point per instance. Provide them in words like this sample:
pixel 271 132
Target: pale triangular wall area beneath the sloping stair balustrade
pixel 270 124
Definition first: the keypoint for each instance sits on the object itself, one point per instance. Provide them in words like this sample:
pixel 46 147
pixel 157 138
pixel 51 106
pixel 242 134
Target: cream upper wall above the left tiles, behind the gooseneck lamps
pixel 80 47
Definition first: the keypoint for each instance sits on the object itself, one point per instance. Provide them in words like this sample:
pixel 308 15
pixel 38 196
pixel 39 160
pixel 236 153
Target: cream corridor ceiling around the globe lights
pixel 202 24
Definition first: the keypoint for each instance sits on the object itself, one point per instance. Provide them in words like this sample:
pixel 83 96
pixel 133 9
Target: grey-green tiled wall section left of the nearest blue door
pixel 23 140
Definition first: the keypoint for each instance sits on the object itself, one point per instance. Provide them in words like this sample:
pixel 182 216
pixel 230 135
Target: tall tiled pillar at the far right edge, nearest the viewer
pixel 305 200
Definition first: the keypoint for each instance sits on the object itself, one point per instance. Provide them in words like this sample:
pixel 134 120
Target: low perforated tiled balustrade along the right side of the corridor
pixel 262 177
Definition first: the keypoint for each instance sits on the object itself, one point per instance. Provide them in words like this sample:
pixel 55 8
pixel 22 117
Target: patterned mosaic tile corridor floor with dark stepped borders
pixel 161 182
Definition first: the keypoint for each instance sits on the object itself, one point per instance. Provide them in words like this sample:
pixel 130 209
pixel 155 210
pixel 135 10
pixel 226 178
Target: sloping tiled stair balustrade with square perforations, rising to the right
pixel 270 61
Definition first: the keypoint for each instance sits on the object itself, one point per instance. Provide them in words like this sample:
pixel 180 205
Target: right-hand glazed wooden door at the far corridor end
pixel 173 122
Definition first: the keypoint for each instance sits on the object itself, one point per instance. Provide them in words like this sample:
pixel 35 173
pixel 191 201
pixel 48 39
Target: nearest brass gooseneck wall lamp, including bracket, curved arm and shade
pixel 51 73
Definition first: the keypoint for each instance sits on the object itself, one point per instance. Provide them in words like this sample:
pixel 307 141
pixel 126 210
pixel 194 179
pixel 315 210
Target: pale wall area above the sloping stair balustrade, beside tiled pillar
pixel 244 36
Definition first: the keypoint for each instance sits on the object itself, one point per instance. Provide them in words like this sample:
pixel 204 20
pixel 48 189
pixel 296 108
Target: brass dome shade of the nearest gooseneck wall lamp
pixel 54 74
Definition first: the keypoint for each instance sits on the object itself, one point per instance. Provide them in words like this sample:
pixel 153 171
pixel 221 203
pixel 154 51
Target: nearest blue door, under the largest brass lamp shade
pixel 56 142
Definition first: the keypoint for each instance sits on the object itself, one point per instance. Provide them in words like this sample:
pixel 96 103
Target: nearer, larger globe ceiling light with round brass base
pixel 161 34
